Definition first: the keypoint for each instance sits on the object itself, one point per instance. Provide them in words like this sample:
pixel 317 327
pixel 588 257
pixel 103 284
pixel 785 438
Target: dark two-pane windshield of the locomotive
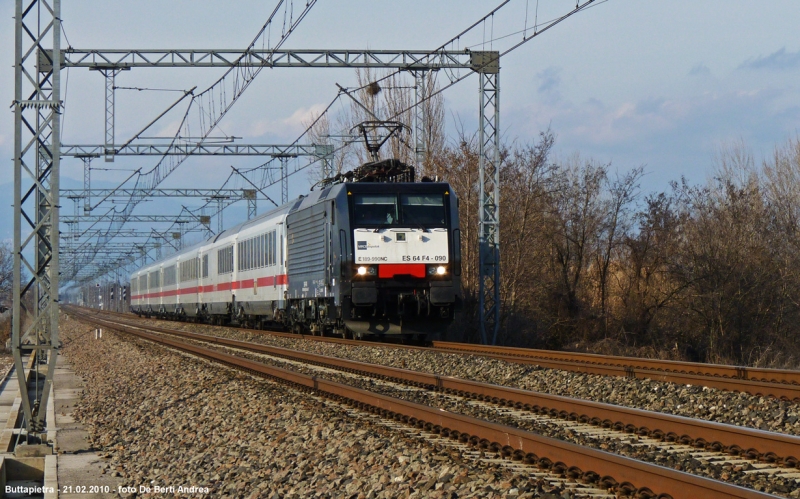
pixel 427 210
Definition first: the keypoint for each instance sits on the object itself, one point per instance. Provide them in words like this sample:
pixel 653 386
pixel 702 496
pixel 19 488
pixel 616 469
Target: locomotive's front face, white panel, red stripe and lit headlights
pixel 405 261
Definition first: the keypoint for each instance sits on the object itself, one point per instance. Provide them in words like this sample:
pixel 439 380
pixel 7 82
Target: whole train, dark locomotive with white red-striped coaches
pixel 372 254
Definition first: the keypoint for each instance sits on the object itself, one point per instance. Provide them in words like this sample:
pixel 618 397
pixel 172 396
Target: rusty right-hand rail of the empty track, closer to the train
pixel 750 442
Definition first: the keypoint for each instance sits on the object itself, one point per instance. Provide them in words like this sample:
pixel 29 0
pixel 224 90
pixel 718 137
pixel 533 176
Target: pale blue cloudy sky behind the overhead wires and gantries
pixel 659 84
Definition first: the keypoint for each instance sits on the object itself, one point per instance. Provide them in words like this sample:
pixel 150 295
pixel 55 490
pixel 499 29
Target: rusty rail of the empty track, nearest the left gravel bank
pixel 610 470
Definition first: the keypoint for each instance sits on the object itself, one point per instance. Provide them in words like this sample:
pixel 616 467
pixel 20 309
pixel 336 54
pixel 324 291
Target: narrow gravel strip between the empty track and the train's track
pixel 741 409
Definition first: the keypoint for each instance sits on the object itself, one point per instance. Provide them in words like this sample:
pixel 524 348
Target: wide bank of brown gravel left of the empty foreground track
pixel 163 419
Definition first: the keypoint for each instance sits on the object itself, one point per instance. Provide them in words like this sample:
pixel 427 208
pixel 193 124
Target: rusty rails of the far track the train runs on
pixel 780 390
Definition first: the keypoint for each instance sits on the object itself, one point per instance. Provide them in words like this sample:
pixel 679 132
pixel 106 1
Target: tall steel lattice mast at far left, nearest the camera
pixel 37 107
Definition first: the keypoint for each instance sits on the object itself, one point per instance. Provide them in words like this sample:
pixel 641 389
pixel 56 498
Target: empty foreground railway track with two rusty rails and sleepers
pixel 582 417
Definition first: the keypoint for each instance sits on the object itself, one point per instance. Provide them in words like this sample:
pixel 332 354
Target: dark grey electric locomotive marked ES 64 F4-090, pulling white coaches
pixel 393 263
